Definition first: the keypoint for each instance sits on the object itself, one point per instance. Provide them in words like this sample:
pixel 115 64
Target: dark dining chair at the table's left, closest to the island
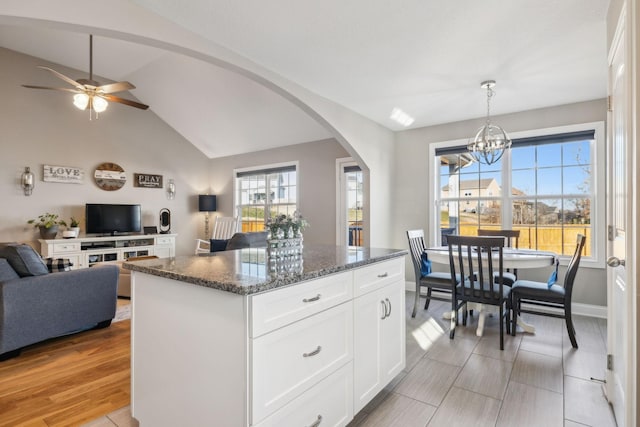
pixel 424 277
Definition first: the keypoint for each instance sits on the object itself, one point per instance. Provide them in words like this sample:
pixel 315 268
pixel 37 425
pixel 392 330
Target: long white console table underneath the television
pixel 83 252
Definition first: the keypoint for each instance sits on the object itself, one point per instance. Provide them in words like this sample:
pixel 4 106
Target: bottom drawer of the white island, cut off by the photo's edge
pixel 329 402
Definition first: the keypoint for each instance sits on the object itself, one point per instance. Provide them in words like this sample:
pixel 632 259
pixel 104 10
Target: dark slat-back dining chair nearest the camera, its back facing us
pixel 479 259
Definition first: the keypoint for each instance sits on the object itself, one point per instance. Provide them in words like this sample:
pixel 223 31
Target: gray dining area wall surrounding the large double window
pixel 412 177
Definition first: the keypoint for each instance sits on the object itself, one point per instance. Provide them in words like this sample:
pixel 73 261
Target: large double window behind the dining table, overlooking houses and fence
pixel 545 186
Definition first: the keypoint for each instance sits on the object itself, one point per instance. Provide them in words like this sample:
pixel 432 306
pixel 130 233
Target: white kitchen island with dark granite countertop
pixel 242 339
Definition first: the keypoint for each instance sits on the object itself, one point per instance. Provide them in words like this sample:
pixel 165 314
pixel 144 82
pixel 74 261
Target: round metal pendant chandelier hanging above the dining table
pixel 491 140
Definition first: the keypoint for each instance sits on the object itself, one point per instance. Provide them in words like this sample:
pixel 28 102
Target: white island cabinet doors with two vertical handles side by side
pixel 379 341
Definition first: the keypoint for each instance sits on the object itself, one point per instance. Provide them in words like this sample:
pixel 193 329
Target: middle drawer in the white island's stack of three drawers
pixel 292 359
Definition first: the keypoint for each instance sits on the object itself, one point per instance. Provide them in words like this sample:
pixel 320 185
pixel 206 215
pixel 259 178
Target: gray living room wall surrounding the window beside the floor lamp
pixel 317 171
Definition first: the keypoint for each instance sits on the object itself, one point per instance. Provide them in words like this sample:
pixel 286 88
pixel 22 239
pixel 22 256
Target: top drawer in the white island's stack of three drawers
pixel 274 309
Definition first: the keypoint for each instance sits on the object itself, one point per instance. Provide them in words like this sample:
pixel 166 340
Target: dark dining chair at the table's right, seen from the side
pixel 549 294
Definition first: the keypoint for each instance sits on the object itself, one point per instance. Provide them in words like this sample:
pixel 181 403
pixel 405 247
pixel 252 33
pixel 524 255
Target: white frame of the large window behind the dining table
pixel 598 222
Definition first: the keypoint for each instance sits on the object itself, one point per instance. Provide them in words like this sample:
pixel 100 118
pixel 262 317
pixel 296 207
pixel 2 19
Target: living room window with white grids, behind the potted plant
pixel 265 192
